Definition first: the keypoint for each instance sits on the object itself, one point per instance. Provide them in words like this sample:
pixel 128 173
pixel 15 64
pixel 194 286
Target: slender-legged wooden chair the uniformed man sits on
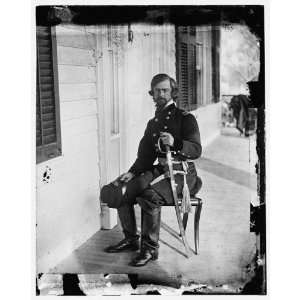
pixel 197 202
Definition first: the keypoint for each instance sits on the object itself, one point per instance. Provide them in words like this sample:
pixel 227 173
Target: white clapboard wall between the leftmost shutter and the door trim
pixel 68 205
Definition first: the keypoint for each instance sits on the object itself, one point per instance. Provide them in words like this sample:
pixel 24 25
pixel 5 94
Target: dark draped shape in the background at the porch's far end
pixel 240 107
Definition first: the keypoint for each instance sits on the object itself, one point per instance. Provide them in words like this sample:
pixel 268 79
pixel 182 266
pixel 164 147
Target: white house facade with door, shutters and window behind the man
pixel 92 109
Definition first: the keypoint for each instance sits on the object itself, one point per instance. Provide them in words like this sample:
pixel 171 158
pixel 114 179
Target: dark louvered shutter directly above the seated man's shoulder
pixel 186 66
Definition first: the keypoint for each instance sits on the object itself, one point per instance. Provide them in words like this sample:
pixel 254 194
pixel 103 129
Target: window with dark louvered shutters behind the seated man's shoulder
pixel 206 88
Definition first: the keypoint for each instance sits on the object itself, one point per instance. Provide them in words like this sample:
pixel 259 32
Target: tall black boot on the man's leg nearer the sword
pixel 150 237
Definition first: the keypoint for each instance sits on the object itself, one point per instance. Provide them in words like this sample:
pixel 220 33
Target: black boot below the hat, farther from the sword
pixel 128 223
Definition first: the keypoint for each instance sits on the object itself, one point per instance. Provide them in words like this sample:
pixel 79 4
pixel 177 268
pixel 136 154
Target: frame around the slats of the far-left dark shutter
pixel 54 149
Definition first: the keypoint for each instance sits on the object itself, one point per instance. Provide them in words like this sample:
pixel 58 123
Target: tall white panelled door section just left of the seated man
pixel 111 93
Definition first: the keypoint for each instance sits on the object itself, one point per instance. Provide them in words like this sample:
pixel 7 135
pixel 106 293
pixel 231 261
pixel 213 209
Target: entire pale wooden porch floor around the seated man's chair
pixel 226 244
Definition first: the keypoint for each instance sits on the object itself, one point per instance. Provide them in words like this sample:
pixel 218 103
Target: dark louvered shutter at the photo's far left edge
pixel 47 110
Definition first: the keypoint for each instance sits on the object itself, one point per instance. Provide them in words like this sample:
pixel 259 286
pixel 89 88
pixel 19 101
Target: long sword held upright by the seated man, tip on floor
pixel 177 209
